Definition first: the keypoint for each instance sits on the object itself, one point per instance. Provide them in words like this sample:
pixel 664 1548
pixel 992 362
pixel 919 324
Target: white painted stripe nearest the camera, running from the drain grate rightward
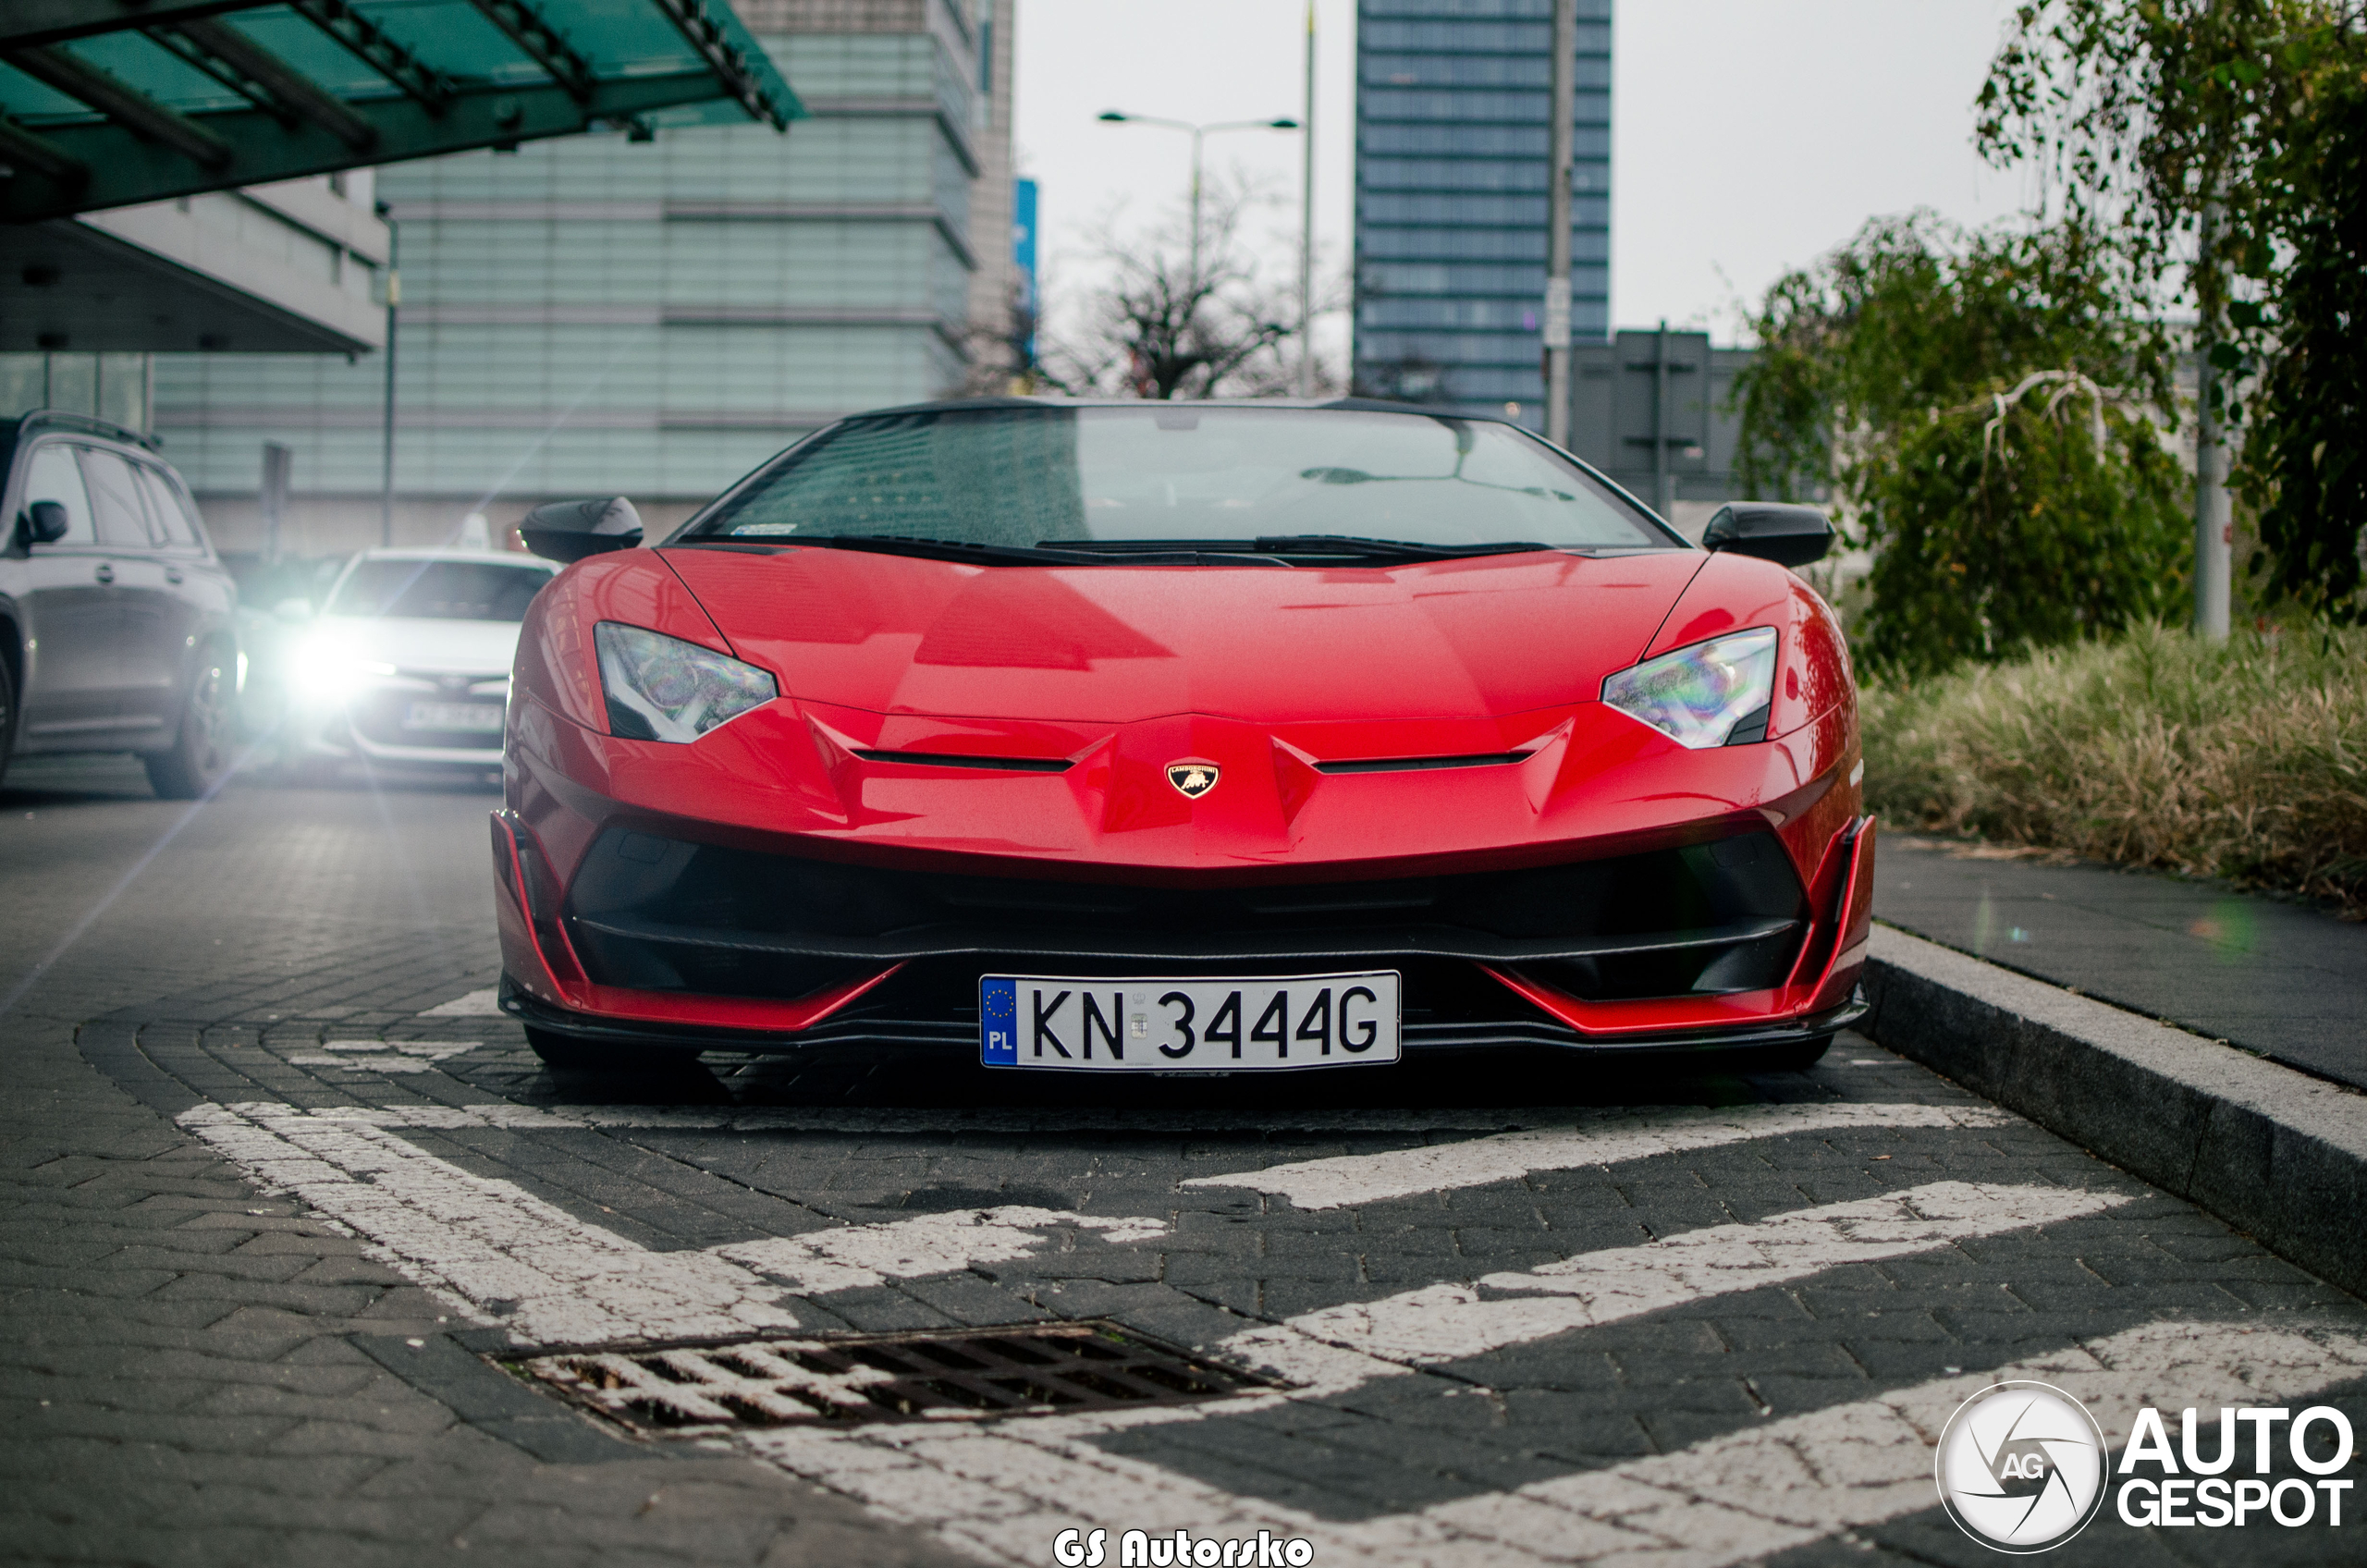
pixel 1005 1491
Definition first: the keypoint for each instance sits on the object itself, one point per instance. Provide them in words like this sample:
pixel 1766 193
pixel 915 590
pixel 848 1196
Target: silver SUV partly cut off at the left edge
pixel 115 612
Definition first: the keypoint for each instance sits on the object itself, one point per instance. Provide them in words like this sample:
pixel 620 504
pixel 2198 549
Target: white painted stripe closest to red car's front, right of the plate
pixel 1606 1140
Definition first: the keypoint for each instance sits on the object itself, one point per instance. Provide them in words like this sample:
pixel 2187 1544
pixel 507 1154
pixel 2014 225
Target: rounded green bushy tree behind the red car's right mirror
pixel 2006 513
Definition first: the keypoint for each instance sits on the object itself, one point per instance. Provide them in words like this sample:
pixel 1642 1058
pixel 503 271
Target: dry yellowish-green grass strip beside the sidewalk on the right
pixel 2243 761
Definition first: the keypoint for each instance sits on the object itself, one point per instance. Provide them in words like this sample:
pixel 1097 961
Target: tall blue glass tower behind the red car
pixel 1452 127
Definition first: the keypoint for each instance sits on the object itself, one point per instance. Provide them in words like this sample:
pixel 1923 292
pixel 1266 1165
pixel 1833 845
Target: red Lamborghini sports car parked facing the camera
pixel 1180 738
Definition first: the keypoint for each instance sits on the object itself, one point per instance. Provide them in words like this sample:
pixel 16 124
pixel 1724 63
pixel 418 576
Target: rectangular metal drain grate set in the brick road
pixel 896 1377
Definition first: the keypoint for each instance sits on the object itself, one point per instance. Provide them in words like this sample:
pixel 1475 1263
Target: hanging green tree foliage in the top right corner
pixel 2226 146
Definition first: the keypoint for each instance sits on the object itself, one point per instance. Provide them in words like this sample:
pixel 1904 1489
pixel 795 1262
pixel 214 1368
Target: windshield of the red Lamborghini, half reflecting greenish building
pixel 1166 473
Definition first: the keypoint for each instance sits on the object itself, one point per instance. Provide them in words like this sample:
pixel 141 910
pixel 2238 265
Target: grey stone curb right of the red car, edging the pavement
pixel 2269 1150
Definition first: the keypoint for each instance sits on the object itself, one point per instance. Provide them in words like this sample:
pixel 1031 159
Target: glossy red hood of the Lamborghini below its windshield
pixel 1478 638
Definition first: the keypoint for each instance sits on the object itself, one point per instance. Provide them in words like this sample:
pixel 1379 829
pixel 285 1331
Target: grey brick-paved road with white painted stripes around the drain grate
pixel 276 1200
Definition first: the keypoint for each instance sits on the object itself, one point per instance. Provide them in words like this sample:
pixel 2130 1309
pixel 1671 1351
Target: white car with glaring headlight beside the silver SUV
pixel 408 662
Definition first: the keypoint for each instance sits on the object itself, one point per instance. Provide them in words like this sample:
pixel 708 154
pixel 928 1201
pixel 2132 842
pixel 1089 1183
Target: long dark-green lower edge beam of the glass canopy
pixel 127 169
